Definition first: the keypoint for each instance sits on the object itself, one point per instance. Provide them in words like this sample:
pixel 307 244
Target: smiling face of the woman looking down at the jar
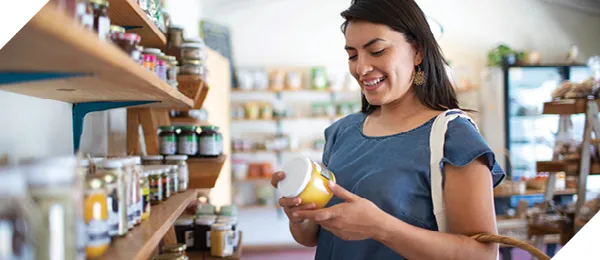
pixel 381 60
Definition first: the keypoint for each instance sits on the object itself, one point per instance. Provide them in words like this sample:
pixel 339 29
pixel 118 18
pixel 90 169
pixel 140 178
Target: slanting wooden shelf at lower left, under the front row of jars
pixel 142 240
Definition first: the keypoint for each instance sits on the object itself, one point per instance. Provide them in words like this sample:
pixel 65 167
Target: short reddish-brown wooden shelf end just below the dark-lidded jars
pixel 204 172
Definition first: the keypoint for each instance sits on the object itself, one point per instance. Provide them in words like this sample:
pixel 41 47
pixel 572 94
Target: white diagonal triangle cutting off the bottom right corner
pixel 584 245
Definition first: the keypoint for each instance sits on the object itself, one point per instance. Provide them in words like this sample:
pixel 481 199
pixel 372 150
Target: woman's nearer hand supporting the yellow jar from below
pixel 354 219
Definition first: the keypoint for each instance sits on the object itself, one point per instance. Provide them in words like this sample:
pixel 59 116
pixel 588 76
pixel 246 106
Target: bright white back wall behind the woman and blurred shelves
pixel 307 33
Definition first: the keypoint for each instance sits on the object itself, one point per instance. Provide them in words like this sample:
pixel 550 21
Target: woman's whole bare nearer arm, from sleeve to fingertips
pixel 469 201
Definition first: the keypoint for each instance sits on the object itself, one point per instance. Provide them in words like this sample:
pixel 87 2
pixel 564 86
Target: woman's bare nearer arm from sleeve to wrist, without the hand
pixel 469 199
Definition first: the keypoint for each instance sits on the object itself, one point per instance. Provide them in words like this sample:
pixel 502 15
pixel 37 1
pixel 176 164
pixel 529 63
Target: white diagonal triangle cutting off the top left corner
pixel 14 15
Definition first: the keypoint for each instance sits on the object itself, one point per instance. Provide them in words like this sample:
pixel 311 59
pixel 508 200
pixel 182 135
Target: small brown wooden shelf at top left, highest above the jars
pixel 129 13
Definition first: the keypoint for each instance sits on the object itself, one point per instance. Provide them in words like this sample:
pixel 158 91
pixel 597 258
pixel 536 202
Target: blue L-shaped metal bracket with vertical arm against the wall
pixel 81 109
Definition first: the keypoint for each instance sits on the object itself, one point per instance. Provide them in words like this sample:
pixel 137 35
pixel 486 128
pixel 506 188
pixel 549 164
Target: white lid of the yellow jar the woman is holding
pixel 297 175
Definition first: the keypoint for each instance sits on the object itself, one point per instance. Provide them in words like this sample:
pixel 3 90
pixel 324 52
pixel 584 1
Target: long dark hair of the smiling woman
pixel 406 17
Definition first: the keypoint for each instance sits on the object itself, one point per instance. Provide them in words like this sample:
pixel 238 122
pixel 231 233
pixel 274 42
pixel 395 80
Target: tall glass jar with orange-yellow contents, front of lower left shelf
pixel 96 216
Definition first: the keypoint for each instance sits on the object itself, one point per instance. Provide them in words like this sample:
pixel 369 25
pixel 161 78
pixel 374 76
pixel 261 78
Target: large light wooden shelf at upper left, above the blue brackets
pixel 96 71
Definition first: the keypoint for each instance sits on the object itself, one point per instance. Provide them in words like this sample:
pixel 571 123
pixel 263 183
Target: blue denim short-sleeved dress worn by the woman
pixel 392 172
